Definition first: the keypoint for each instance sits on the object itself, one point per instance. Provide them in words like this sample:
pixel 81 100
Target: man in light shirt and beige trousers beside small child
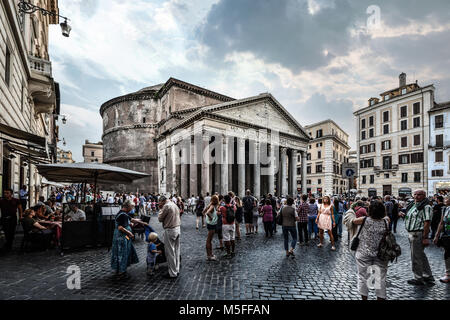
pixel 169 216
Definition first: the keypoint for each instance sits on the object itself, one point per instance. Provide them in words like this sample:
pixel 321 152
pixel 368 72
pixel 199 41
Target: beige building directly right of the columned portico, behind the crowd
pixel 327 151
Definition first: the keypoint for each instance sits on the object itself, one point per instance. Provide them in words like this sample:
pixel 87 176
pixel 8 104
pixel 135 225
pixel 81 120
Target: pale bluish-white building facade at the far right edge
pixel 439 150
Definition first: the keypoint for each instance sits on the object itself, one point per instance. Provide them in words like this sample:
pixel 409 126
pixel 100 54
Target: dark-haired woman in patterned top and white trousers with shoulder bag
pixel 372 230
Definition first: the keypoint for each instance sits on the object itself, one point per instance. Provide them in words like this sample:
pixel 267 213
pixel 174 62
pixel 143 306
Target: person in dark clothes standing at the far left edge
pixel 9 207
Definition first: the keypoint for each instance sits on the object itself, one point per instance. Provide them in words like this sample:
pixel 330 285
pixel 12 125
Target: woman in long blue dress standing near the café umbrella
pixel 123 253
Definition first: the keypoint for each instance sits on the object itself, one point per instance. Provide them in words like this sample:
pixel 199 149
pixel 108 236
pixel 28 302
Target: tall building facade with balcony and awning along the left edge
pixel 29 97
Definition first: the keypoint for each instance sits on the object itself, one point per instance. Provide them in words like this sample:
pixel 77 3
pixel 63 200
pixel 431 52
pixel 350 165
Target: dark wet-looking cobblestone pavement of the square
pixel 259 270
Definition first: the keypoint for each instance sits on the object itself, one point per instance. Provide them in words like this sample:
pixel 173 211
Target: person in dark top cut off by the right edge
pixel 443 240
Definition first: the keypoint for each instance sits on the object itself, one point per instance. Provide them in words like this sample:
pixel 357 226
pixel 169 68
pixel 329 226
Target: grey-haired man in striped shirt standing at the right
pixel 417 222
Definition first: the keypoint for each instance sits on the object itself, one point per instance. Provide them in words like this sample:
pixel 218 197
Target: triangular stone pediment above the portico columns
pixel 263 111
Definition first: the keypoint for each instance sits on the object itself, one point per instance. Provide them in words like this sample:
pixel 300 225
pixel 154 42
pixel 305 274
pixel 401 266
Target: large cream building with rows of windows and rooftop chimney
pixel 392 140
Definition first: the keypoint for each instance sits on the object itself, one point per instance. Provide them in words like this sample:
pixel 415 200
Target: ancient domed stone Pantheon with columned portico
pixel 192 140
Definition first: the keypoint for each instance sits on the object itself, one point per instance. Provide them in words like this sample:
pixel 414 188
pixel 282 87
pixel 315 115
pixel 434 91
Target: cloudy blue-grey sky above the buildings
pixel 321 59
